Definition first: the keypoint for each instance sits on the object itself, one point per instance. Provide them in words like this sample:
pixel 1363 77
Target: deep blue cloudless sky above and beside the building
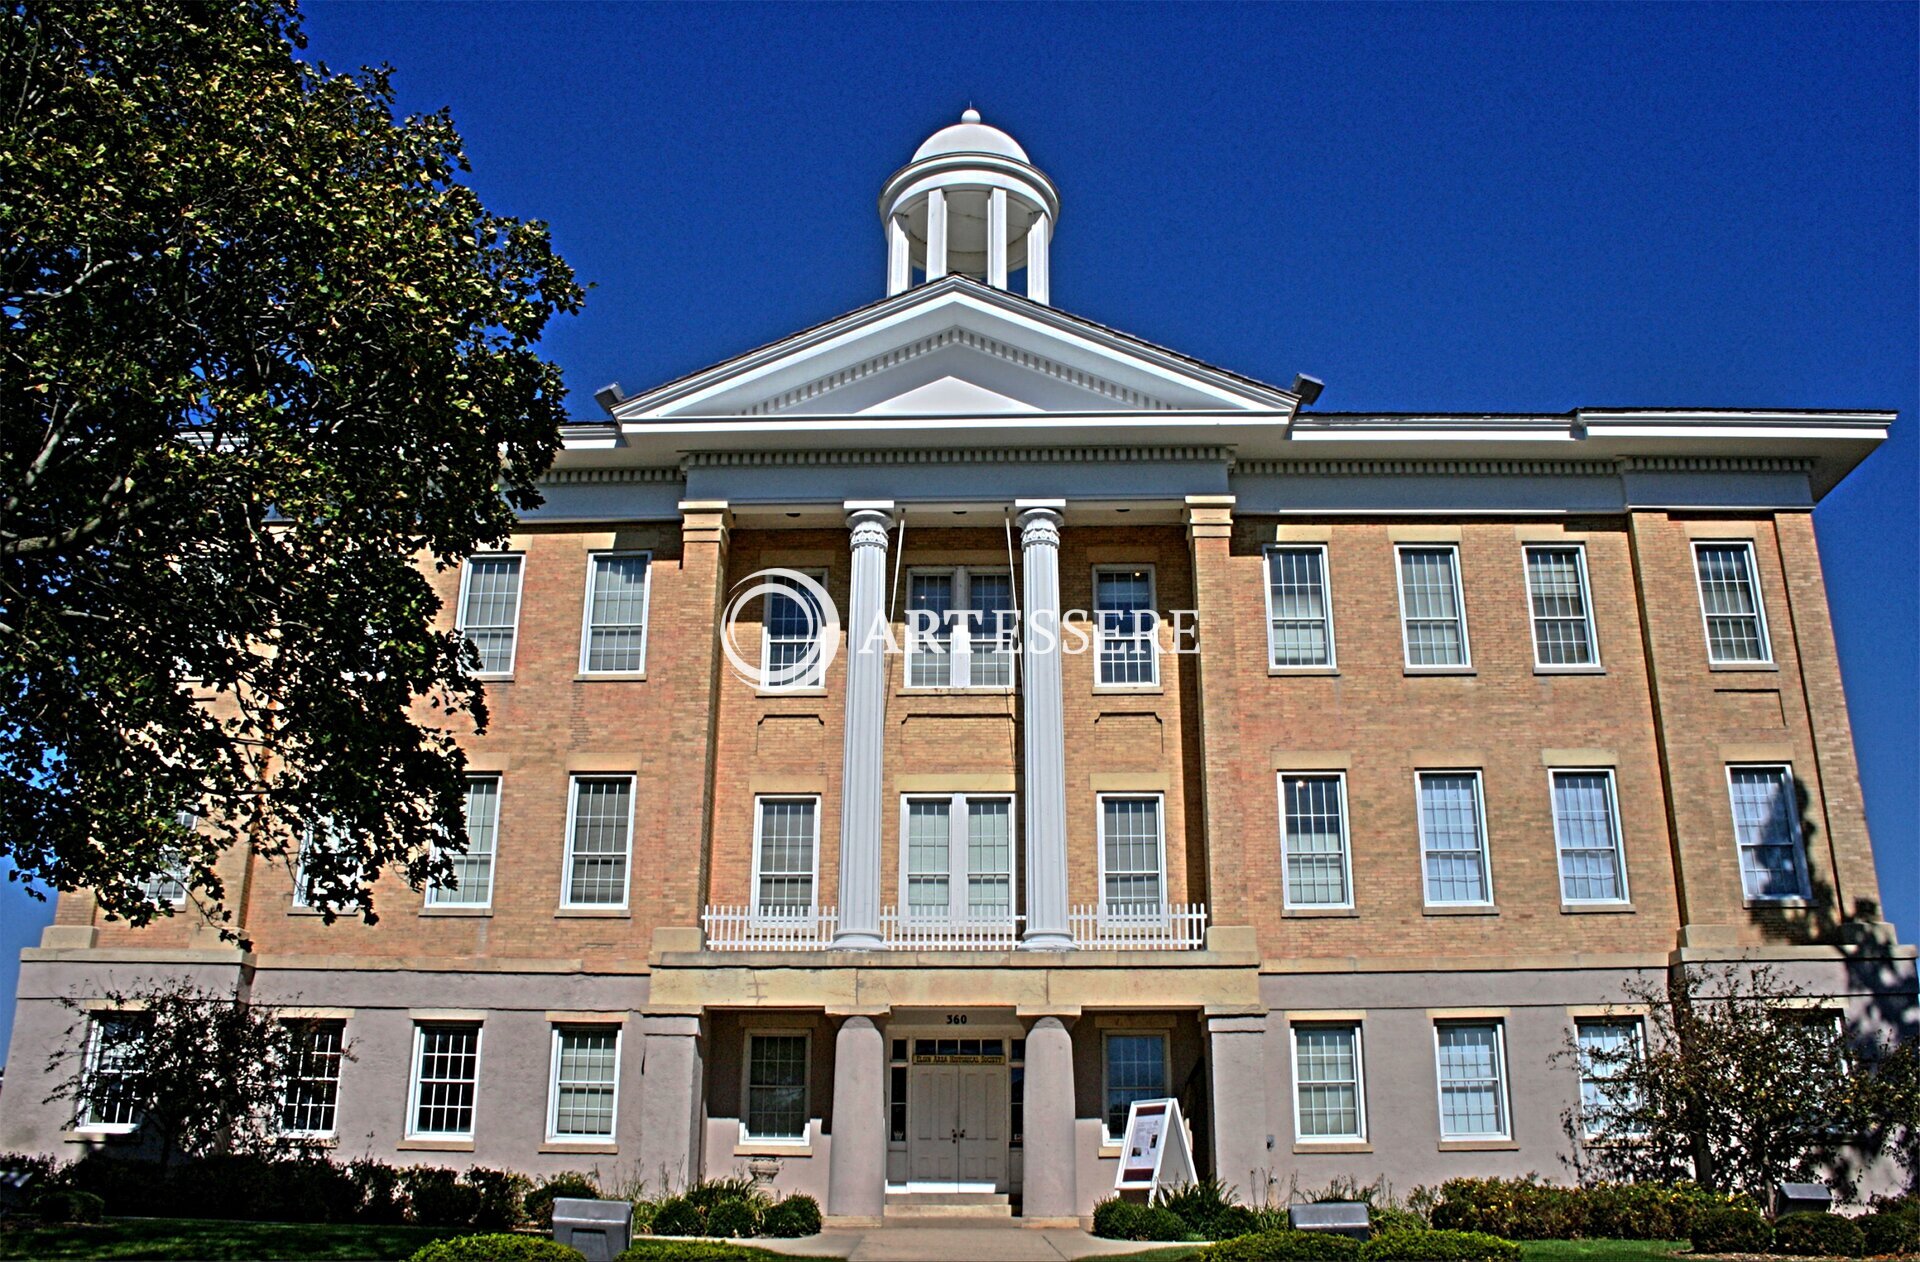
pixel 1428 206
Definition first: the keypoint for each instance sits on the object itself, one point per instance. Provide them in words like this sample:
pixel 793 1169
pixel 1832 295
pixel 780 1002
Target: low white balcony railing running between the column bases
pixel 1174 927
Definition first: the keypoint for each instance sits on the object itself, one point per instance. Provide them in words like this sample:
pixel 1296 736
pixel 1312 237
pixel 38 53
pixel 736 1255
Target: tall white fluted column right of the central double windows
pixel 1045 727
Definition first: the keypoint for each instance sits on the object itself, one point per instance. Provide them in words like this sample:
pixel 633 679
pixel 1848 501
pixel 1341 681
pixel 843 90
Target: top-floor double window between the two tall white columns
pixel 961 627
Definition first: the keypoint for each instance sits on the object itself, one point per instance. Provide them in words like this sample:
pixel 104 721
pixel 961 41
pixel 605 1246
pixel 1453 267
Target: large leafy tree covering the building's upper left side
pixel 262 360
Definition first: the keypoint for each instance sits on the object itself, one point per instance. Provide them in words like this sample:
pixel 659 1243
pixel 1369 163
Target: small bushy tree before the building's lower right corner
pixel 1737 1082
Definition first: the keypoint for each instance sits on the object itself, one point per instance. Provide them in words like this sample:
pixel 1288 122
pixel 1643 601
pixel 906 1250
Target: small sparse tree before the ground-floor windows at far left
pixel 201 1073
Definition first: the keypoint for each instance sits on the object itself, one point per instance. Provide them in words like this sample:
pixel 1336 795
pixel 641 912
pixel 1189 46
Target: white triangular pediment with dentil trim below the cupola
pixel 955 349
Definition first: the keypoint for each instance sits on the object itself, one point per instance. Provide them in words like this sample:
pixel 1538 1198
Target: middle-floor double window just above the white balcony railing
pixel 957 858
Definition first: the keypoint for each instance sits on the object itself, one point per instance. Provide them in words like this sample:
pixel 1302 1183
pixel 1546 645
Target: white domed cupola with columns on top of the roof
pixel 969 203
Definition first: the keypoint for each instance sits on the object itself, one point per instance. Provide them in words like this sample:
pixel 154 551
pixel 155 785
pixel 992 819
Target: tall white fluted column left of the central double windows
pixel 867 702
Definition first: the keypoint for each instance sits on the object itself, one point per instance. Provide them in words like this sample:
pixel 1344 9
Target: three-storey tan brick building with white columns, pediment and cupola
pixel 1337 773
